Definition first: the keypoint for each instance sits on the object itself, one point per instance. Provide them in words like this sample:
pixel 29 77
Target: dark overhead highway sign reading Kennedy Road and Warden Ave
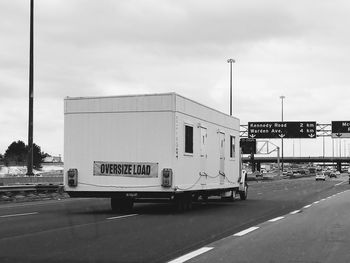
pixel 272 130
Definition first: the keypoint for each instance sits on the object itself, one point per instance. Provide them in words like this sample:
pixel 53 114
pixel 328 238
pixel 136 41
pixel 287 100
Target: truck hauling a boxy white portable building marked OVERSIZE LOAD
pixel 148 148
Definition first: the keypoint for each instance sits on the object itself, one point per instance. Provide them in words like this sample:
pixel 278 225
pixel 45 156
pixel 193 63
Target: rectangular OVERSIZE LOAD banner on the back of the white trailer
pixel 126 169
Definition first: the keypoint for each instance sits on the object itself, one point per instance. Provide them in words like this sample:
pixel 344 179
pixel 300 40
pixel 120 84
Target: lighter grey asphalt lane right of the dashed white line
pixel 318 232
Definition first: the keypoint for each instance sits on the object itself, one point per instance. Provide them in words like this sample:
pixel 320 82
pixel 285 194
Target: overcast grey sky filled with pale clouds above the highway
pixel 299 49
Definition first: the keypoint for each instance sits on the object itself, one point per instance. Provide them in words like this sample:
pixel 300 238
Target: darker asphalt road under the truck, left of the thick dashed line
pixel 85 230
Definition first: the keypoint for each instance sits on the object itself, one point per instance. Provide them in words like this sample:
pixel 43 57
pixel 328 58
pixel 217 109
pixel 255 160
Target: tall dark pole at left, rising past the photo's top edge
pixel 31 92
